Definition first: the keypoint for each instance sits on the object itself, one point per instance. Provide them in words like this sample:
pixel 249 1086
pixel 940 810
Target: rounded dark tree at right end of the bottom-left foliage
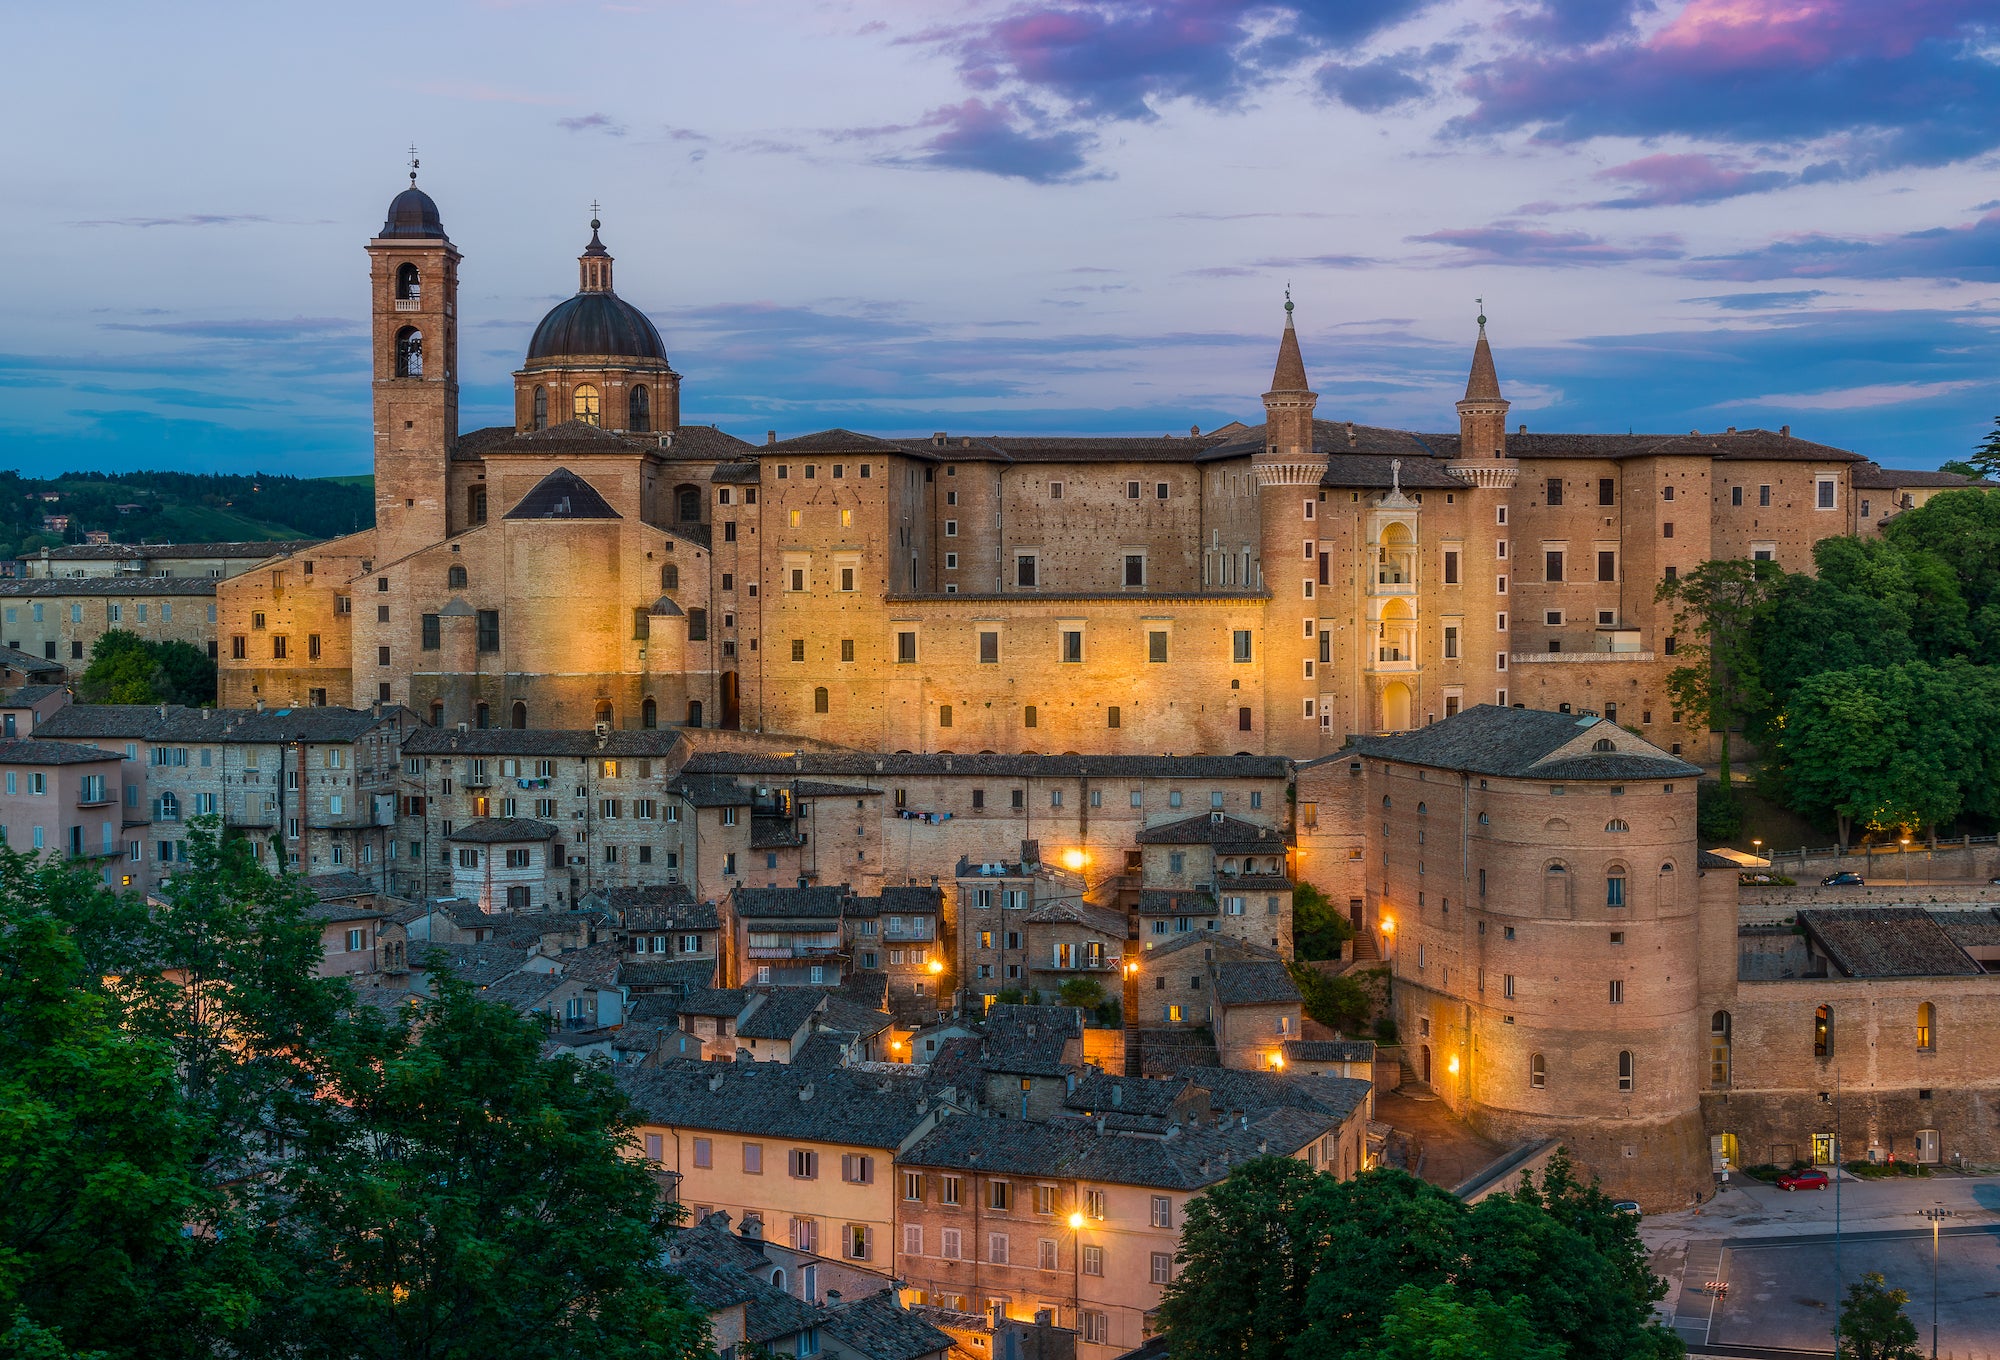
pixel 475 1201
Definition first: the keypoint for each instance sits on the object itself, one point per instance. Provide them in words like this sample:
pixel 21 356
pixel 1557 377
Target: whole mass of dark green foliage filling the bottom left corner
pixel 207 1149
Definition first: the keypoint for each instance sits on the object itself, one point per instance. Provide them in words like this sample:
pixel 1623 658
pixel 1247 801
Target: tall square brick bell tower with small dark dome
pixel 413 273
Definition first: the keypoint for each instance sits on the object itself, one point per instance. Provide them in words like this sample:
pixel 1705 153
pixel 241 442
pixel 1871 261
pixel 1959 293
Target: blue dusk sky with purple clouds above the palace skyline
pixel 1063 217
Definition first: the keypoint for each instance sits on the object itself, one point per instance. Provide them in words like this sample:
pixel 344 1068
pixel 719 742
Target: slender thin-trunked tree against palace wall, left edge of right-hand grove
pixel 1715 627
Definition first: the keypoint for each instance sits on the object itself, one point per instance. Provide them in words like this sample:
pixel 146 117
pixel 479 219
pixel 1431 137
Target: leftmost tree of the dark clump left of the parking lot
pixel 1249 1249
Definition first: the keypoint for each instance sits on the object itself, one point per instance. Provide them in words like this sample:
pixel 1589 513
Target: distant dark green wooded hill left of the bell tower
pixel 179 507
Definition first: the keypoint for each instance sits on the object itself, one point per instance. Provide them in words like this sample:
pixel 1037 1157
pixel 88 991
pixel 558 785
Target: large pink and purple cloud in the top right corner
pixel 1861 83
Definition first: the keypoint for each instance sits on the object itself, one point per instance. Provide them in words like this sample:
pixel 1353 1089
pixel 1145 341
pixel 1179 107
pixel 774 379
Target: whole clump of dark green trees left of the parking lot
pixel 1285 1263
